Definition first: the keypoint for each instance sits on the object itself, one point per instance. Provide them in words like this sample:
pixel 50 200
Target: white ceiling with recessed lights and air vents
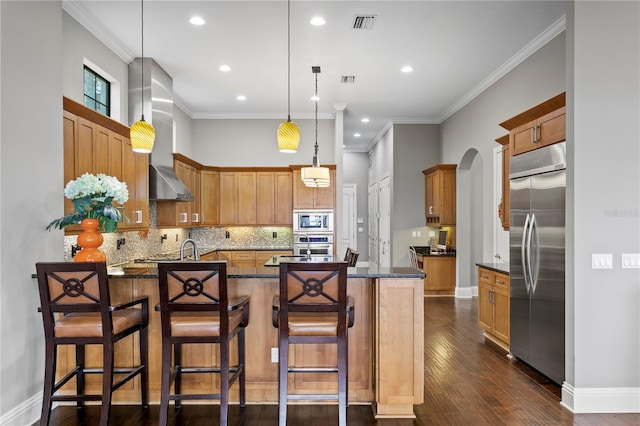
pixel 456 49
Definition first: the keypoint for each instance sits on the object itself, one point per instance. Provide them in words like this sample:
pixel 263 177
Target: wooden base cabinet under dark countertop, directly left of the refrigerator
pixel 493 305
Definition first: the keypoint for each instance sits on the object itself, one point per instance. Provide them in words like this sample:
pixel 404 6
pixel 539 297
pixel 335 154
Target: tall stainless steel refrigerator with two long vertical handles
pixel 537 259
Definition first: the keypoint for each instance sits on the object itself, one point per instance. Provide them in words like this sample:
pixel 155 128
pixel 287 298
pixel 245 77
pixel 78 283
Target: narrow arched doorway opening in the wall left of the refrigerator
pixel 469 229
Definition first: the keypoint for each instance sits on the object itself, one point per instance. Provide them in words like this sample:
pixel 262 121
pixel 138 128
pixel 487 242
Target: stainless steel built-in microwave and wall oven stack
pixel 313 233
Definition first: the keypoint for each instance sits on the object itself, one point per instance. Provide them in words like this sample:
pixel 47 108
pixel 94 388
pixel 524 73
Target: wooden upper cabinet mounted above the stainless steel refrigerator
pixel 539 126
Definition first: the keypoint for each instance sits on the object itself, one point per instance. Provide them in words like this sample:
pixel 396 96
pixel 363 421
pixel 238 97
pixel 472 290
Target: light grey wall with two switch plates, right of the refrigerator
pixel 603 324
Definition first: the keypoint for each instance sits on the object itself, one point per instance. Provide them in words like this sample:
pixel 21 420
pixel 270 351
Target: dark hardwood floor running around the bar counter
pixel 467 382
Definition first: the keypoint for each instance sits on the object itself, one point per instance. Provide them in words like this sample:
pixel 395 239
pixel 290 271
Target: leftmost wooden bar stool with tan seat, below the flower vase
pixel 76 310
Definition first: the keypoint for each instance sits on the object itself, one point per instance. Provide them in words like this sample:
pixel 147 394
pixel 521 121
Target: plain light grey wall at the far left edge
pixel 31 181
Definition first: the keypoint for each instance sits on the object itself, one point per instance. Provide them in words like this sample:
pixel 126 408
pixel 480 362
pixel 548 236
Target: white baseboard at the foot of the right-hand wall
pixel 601 400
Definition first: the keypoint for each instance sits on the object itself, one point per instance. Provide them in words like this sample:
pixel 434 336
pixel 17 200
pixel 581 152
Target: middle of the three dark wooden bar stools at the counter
pixel 195 309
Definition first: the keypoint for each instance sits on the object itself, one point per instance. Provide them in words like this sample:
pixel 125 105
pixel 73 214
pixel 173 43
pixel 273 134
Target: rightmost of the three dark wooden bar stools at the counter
pixel 313 307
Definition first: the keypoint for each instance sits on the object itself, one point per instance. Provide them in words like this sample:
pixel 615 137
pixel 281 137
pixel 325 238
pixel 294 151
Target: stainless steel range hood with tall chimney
pixel 158 110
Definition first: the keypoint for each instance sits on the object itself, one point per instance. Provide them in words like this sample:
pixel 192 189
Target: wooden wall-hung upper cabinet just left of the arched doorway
pixel 440 195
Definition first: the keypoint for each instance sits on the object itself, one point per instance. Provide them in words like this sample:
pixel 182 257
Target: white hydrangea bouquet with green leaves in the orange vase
pixel 92 196
